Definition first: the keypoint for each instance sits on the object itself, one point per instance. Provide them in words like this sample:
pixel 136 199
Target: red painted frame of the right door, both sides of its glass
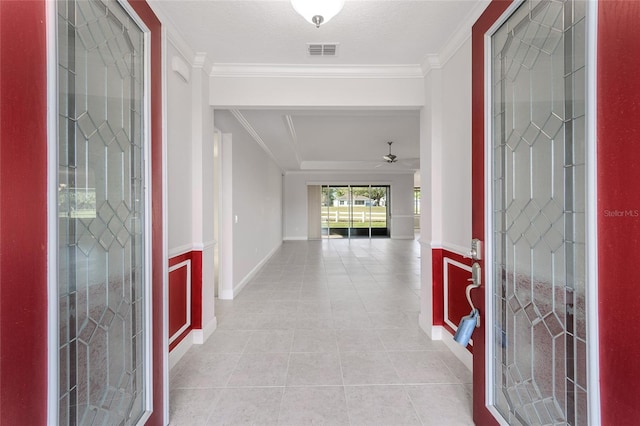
pixel 617 210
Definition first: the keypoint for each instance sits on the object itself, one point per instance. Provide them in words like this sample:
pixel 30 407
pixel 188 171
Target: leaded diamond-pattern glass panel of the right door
pixel 538 94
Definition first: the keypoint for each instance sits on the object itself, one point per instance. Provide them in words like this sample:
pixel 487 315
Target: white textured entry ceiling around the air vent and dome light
pixel 270 32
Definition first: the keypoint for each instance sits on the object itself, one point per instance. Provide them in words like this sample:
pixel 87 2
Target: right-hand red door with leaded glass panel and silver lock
pixel 559 219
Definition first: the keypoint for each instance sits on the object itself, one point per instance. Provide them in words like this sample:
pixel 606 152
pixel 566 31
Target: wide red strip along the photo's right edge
pixel 619 209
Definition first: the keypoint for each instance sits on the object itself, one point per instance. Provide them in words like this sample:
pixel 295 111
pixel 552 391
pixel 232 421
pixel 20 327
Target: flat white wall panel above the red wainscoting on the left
pixel 179 152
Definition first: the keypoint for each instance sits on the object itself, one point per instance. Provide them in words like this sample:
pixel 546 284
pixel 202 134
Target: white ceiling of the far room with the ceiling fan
pixel 332 140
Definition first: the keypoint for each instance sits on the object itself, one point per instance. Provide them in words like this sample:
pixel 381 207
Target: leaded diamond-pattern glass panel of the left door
pixel 101 261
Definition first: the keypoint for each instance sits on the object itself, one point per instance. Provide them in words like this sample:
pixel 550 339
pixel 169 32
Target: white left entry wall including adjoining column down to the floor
pixel 190 170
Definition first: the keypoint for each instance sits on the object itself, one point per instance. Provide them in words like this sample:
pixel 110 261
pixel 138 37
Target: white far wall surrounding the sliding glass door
pixel 295 198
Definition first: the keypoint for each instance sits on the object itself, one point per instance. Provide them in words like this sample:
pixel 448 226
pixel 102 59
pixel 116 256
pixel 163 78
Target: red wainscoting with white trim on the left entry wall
pixel 185 295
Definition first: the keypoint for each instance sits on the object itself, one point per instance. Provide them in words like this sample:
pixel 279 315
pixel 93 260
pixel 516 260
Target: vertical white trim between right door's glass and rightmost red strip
pixel 591 290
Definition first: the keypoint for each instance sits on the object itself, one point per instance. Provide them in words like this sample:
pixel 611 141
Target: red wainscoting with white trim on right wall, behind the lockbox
pixel 451 272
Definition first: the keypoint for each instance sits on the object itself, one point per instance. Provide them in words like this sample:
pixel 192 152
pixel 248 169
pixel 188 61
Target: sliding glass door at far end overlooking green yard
pixel 355 211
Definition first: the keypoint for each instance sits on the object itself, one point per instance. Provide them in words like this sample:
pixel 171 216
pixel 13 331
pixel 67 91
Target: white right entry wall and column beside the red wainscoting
pixel 445 150
